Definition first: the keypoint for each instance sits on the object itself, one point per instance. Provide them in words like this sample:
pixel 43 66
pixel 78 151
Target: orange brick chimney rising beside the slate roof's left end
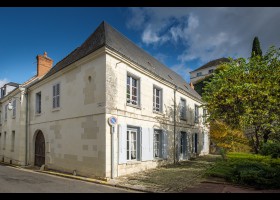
pixel 44 64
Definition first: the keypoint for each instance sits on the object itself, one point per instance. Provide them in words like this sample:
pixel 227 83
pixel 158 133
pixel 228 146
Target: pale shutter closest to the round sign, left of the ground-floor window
pixel 122 143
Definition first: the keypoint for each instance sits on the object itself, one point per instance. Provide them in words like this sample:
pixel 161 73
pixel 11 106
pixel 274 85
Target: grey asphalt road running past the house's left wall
pixel 14 180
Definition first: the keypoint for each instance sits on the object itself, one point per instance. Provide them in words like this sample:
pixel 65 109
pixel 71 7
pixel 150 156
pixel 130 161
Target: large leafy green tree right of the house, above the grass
pixel 245 95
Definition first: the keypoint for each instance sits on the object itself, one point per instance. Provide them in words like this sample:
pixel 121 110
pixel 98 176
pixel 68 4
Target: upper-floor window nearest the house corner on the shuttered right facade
pixel 132 90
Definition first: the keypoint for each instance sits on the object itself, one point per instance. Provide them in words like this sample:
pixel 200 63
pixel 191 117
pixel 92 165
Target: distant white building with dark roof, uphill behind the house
pixel 205 70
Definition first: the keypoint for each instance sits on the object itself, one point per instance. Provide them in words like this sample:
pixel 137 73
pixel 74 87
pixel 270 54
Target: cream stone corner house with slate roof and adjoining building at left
pixel 159 120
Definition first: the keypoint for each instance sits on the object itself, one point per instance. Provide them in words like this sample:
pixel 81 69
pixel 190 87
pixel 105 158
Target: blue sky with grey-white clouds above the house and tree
pixel 182 38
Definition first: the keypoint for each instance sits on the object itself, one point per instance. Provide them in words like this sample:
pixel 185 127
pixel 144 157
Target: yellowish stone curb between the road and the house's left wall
pixel 91 180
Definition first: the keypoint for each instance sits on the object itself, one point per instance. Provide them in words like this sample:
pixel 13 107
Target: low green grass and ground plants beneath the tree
pixel 248 169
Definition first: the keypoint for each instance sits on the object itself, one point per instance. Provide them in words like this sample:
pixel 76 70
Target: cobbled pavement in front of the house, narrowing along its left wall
pixel 148 181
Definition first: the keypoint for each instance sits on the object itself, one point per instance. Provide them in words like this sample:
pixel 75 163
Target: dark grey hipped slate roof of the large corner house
pixel 106 35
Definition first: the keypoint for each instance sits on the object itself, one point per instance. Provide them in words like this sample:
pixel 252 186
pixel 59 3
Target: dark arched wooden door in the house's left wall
pixel 39 149
